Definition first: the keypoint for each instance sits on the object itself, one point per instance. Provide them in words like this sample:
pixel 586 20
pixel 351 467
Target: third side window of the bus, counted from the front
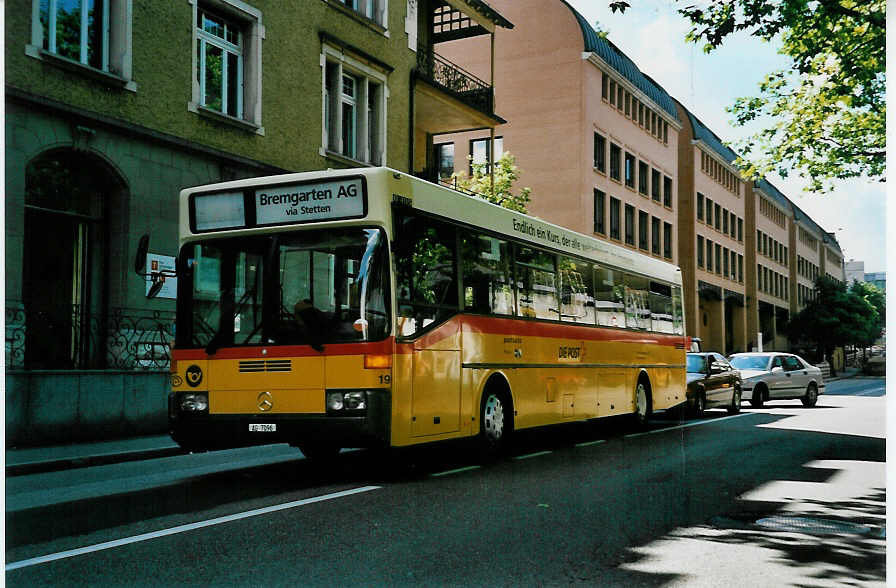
pixel 536 284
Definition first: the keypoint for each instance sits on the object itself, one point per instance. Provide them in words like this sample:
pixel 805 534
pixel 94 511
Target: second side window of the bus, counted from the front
pixel 487 280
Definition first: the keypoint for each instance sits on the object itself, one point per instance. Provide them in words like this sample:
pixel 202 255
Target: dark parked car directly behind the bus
pixel 712 382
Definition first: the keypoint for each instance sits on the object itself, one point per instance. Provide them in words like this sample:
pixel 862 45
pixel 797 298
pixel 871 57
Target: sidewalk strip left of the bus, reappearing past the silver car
pixel 59 457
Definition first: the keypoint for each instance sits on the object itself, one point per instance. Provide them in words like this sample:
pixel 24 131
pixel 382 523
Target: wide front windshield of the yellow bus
pixel 310 287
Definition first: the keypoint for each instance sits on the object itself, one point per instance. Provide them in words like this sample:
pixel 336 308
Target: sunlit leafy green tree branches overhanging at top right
pixel 825 116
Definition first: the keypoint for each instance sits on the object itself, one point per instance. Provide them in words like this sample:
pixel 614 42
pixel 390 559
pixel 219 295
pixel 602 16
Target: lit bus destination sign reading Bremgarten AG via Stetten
pixel 298 203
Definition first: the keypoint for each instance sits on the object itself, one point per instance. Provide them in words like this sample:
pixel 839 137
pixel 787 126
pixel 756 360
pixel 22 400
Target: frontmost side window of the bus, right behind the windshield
pixel 426 272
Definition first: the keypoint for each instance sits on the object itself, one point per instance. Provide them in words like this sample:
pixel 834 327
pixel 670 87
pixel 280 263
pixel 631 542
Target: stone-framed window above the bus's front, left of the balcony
pixel 354 108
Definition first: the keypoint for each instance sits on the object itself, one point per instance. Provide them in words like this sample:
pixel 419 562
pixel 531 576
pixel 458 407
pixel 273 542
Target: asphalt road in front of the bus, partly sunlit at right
pixel 782 495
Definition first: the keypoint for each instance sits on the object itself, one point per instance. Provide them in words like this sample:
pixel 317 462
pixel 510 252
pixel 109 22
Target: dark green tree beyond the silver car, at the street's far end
pixel 835 317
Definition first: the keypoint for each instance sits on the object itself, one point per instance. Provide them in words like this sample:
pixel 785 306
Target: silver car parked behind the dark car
pixel 777 376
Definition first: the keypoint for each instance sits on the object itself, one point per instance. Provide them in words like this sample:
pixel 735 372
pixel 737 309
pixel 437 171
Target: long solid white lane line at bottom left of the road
pixel 182 528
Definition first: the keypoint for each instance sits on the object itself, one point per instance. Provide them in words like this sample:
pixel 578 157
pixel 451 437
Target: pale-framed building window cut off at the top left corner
pixel 94 33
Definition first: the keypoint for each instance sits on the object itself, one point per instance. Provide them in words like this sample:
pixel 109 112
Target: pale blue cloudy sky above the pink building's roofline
pixel 652 33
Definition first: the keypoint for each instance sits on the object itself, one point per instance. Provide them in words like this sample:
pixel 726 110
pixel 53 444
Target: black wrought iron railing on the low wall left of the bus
pixel 71 338
